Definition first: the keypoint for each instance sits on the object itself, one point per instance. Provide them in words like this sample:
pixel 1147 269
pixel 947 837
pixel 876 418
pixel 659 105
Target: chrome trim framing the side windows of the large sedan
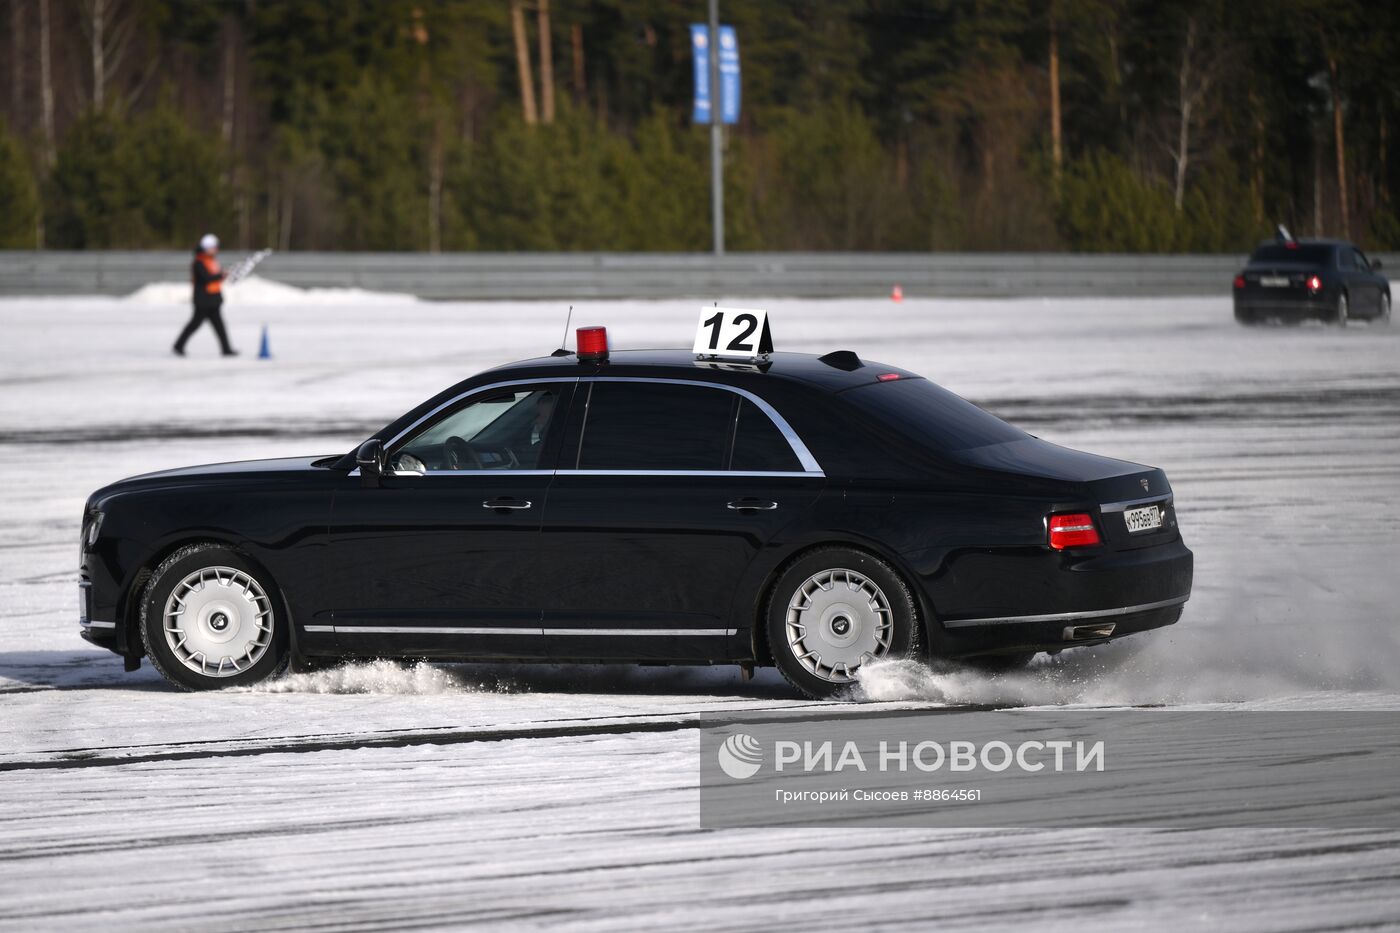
pixel 800 450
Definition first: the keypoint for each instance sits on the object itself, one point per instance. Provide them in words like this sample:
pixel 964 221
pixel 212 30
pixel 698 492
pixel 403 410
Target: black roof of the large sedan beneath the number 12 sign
pixel 832 372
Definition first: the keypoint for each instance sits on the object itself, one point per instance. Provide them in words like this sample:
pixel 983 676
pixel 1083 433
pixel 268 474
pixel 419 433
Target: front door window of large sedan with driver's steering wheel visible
pixel 498 431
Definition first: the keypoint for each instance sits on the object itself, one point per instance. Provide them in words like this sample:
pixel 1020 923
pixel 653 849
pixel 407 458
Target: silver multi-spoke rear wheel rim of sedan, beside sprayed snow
pixel 836 621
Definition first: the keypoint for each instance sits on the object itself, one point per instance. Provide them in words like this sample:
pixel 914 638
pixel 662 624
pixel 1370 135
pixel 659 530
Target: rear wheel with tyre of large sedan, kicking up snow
pixel 834 611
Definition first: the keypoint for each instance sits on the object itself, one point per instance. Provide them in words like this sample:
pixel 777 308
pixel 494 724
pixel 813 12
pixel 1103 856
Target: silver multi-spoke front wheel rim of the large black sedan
pixel 218 621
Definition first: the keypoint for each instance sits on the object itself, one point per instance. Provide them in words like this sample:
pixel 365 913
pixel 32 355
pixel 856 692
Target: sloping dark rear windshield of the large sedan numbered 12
pixel 933 415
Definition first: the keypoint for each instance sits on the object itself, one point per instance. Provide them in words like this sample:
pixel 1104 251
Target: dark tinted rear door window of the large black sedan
pixel 656 427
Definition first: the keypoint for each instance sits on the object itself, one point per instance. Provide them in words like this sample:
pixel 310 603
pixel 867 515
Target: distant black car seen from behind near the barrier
pixel 1296 279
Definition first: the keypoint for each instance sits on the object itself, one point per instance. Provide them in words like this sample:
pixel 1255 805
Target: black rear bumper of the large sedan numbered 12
pixel 1058 602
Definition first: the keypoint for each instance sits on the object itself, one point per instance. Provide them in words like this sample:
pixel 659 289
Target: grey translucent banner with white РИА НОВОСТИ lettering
pixel 1147 768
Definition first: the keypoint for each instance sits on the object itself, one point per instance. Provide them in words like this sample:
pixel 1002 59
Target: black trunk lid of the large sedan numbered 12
pixel 1104 478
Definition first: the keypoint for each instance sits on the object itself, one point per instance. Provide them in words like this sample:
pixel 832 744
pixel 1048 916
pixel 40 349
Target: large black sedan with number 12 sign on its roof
pixel 814 513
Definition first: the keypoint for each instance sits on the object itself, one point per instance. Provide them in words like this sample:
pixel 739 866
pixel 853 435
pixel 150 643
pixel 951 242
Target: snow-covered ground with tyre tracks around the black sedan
pixel 381 796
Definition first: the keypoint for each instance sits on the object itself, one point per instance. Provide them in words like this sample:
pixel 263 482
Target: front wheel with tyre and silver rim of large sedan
pixel 211 618
